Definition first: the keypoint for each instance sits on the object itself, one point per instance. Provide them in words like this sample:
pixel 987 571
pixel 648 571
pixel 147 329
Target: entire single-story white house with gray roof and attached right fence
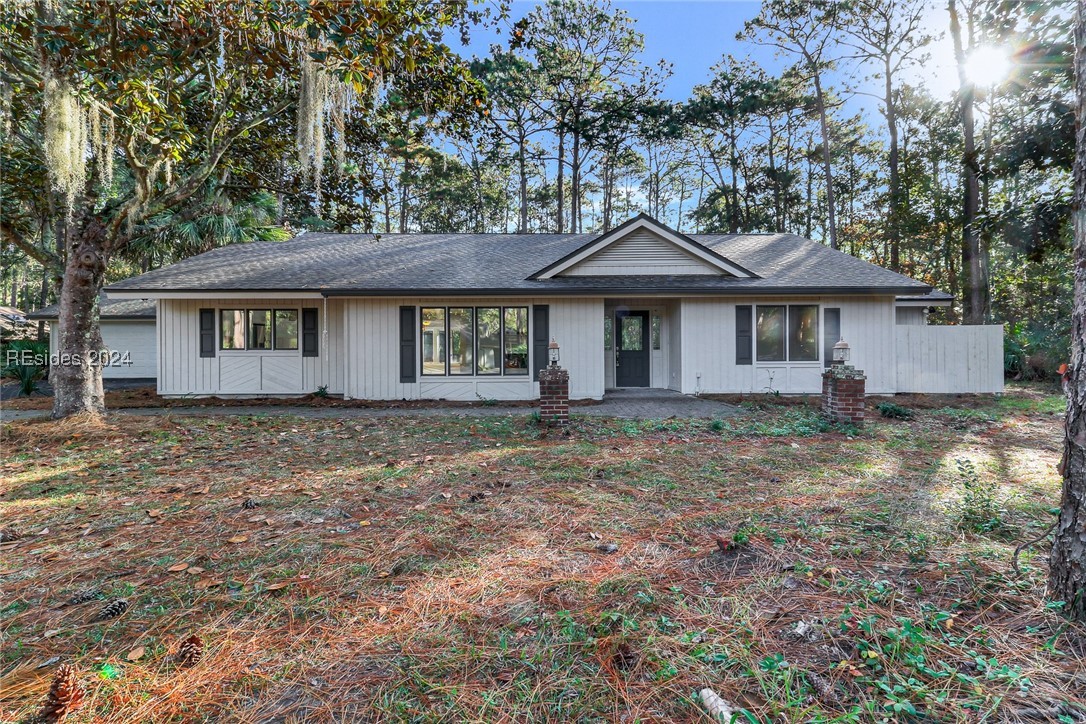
pixel 469 316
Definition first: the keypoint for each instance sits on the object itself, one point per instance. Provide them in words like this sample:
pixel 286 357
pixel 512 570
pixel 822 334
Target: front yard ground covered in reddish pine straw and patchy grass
pixel 281 569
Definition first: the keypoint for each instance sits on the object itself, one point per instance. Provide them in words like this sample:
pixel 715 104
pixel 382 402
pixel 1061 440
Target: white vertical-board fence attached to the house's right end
pixel 967 359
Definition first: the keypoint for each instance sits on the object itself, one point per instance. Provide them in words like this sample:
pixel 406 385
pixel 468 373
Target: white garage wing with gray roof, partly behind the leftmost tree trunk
pixel 128 333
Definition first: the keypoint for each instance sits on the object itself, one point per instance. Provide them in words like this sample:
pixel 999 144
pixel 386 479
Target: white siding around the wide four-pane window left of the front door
pixel 372 328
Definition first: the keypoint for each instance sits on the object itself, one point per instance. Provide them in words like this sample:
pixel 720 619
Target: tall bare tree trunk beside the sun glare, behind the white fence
pixel 976 294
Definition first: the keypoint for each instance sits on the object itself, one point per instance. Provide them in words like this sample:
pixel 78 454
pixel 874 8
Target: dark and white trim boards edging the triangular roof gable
pixel 710 261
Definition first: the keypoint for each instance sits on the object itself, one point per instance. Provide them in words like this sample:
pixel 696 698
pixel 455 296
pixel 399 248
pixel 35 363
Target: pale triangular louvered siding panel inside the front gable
pixel 640 252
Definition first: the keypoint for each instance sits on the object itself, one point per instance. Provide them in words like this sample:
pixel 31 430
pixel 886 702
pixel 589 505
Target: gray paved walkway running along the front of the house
pixel 642 404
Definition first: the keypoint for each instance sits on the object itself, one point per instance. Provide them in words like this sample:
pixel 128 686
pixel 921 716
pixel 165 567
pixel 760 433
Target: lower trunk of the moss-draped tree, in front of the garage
pixel 77 375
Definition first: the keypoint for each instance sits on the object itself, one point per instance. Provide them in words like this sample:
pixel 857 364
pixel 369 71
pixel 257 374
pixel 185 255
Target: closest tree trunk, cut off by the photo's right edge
pixel 1068 578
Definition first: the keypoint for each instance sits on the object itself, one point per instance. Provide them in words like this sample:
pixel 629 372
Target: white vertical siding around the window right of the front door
pixel 709 348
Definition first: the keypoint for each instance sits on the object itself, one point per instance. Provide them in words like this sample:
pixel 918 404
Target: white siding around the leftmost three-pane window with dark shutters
pixel 183 372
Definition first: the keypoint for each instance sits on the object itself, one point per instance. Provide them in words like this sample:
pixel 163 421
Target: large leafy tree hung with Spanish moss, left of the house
pixel 131 108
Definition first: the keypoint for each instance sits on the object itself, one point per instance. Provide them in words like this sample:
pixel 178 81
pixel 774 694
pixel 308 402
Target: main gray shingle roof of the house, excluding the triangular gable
pixel 460 264
